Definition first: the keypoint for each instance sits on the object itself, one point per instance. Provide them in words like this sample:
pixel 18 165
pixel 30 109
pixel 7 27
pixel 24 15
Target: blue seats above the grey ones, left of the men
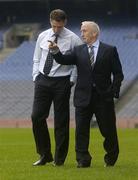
pixel 18 66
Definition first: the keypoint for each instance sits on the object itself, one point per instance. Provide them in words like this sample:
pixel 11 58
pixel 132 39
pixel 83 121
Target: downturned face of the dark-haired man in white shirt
pixel 57 26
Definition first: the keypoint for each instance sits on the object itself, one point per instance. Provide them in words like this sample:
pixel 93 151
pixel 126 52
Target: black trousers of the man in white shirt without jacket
pixel 50 90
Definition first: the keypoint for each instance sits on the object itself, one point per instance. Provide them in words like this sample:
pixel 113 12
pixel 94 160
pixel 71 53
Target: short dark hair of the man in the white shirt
pixel 58 15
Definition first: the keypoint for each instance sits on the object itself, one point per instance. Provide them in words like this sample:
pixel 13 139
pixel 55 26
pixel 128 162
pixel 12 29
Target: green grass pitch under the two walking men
pixel 17 153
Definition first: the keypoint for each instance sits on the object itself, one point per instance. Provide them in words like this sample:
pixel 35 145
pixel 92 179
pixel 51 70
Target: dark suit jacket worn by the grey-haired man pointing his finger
pixel 106 75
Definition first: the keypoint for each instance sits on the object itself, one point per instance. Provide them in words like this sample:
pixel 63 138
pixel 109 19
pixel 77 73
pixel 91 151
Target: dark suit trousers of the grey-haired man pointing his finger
pixel 103 108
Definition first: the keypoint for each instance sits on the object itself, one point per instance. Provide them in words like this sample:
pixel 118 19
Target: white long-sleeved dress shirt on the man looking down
pixel 67 40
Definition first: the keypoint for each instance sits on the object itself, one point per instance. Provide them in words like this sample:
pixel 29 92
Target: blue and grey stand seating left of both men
pixel 16 83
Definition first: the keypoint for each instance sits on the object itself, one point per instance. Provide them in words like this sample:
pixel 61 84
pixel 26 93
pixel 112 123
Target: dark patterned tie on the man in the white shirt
pixel 49 59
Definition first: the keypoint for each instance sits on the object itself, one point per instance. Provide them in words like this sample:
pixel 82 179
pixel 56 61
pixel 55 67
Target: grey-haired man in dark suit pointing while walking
pixel 98 83
